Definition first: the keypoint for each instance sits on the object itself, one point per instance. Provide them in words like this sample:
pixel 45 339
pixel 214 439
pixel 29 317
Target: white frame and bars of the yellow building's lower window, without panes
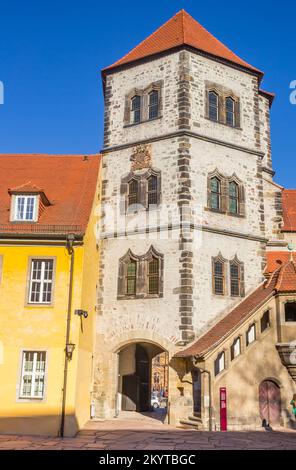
pixel 34 374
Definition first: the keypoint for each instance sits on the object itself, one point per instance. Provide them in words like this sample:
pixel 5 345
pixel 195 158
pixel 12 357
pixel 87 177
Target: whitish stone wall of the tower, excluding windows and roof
pixel 185 147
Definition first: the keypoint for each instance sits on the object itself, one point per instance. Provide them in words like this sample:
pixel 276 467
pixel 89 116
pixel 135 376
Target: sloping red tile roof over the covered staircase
pixel 282 280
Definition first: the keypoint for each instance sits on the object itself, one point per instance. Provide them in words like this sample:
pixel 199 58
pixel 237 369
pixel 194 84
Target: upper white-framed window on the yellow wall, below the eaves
pixel 41 281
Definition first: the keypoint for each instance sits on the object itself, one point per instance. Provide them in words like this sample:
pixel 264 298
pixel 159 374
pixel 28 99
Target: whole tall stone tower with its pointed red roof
pixel 186 151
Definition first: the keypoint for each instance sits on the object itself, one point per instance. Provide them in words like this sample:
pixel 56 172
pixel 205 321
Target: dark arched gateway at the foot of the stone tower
pixel 135 376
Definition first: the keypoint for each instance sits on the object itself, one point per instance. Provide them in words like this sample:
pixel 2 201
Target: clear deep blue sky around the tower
pixel 51 53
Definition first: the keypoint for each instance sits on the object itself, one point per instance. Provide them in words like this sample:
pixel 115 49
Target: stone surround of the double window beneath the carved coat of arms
pixel 142 177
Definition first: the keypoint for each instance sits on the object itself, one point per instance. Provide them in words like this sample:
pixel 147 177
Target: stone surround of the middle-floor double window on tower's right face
pixel 224 204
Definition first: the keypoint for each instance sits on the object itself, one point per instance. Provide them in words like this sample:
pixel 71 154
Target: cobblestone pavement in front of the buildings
pixel 122 434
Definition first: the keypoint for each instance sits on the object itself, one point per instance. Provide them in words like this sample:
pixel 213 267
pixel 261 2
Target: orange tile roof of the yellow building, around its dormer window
pixel 68 181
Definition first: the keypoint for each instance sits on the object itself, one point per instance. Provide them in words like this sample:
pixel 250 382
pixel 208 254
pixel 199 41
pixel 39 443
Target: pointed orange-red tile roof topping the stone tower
pixel 180 30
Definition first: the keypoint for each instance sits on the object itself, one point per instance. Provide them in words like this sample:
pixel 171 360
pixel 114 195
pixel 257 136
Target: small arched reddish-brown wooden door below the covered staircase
pixel 270 401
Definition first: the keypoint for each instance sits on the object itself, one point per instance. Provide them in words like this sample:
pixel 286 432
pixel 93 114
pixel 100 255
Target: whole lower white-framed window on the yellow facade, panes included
pixel 33 374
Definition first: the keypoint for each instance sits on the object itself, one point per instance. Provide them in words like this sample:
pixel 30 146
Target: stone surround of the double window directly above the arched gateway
pixel 142 275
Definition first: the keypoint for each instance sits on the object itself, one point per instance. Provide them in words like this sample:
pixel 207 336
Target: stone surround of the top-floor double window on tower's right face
pixel 222 94
